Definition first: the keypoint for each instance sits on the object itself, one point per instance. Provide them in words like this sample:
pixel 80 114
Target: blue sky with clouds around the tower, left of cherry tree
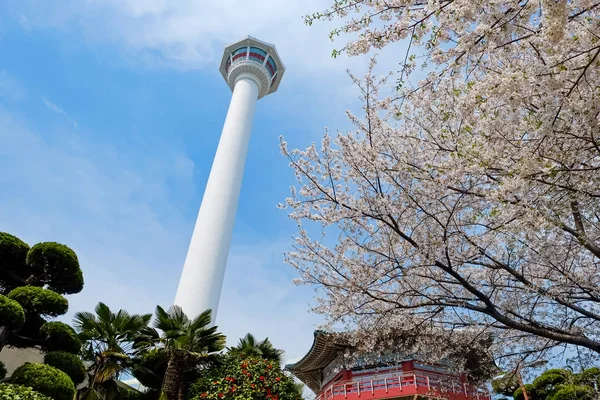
pixel 110 114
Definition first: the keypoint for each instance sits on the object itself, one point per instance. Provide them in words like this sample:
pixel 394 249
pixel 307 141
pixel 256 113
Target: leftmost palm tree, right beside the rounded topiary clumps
pixel 108 339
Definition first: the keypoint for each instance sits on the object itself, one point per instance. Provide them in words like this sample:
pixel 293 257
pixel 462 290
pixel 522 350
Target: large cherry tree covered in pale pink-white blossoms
pixel 467 202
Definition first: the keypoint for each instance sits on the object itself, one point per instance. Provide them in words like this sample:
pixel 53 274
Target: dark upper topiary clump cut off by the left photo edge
pixel 13 253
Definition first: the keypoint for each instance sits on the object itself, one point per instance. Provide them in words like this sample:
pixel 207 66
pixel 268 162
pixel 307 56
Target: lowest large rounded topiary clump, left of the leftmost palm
pixel 45 379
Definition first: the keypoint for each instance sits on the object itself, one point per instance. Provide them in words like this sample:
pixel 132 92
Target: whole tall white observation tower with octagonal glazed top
pixel 252 69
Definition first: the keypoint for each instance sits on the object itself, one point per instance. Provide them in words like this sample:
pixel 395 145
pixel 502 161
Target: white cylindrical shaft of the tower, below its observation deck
pixel 204 269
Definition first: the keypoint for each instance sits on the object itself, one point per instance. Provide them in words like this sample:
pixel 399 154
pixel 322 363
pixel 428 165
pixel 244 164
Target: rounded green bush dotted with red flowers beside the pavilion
pixel 248 378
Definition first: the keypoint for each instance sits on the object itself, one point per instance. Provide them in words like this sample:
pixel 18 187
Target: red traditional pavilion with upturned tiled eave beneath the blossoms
pixel 322 369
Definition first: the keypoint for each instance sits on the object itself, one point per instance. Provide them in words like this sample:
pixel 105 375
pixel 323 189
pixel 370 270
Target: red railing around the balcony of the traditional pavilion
pixel 418 382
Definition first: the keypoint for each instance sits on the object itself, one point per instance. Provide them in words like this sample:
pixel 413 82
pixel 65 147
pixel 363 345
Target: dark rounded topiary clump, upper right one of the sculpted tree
pixel 56 266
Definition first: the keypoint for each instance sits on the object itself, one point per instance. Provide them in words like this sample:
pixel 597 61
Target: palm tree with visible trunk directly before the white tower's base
pixel 187 344
